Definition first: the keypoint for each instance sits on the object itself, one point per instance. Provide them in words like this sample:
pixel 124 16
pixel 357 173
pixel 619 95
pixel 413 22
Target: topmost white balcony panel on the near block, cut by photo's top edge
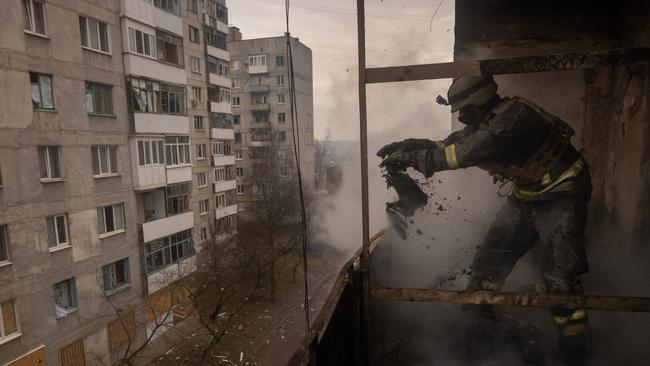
pixel 146 13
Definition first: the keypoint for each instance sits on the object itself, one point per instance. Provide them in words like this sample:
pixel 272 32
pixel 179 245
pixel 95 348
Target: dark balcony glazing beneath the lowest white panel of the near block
pixel 172 249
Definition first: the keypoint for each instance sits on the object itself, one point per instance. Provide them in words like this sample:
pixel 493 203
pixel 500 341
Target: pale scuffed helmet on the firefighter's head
pixel 471 91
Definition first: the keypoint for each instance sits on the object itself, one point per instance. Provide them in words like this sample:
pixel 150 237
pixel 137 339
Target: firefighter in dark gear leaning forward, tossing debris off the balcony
pixel 528 151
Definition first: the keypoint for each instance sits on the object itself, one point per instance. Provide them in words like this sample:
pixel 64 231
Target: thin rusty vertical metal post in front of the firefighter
pixel 363 142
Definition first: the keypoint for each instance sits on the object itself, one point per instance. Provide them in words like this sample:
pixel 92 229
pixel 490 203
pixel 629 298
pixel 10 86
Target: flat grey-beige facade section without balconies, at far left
pixel 69 253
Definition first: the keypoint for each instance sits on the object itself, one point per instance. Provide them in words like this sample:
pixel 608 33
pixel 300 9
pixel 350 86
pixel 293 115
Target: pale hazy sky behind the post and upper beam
pixel 399 32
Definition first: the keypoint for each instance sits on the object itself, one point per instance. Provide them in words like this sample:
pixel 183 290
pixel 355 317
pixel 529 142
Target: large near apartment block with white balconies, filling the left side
pixel 112 145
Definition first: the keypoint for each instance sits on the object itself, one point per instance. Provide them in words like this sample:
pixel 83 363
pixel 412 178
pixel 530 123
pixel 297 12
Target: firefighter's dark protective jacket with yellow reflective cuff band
pixel 518 142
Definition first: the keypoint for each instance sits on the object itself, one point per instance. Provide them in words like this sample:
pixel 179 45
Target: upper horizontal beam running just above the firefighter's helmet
pixel 514 65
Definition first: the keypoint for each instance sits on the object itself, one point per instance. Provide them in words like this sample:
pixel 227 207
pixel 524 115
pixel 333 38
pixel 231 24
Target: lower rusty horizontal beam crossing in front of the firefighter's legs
pixel 542 300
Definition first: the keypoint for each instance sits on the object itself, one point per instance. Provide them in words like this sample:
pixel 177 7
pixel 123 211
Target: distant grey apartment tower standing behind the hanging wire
pixel 262 110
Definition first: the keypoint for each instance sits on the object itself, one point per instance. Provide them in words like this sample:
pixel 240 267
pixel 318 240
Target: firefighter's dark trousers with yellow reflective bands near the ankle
pixel 557 224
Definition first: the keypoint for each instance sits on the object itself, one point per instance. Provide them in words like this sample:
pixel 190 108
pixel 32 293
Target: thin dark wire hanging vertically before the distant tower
pixel 296 152
